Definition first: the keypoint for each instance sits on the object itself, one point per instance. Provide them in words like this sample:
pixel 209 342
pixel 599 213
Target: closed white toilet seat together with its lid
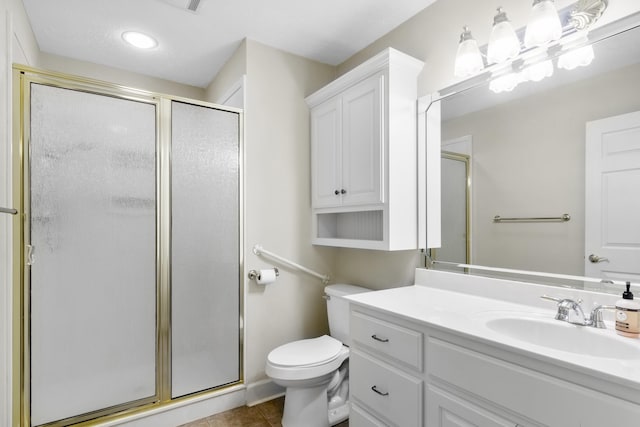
pixel 306 359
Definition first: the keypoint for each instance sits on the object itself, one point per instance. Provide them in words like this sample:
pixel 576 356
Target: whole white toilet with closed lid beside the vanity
pixel 315 371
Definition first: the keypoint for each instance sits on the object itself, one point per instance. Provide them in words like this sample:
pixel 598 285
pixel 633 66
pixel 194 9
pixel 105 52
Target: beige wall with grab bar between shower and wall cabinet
pixel 277 202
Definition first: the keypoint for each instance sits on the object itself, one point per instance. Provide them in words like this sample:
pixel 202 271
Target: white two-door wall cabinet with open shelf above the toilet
pixel 364 156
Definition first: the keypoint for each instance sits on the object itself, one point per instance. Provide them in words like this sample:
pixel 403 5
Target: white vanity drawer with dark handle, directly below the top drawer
pixel 385 391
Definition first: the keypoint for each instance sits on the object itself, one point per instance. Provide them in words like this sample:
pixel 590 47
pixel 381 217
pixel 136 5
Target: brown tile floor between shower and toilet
pixel 267 414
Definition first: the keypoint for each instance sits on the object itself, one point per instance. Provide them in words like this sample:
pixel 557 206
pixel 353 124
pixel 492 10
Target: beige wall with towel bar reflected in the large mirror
pixel 529 158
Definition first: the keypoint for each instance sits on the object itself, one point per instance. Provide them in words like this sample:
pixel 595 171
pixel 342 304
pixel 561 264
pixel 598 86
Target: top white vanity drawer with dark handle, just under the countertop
pixel 388 339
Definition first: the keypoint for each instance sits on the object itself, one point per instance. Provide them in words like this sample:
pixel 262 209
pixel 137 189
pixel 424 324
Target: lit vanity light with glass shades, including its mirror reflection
pixel 511 62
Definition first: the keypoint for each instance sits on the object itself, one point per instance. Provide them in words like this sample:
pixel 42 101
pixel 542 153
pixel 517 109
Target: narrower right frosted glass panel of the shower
pixel 205 251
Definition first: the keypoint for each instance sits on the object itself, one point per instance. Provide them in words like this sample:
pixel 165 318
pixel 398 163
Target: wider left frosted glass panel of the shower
pixel 93 279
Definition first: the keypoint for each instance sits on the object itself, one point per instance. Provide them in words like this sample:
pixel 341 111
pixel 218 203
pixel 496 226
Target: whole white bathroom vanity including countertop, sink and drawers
pixel 457 350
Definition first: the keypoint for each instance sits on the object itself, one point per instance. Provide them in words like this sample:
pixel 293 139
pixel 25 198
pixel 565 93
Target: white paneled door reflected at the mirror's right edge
pixel 612 198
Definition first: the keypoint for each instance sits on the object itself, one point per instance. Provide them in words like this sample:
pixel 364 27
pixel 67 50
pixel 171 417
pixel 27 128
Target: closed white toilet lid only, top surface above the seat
pixel 312 351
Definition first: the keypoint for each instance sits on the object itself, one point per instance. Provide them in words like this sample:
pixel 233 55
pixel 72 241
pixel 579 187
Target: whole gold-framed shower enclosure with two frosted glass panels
pixel 131 247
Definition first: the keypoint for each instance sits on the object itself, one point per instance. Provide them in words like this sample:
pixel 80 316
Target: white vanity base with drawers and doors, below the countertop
pixel 433 377
